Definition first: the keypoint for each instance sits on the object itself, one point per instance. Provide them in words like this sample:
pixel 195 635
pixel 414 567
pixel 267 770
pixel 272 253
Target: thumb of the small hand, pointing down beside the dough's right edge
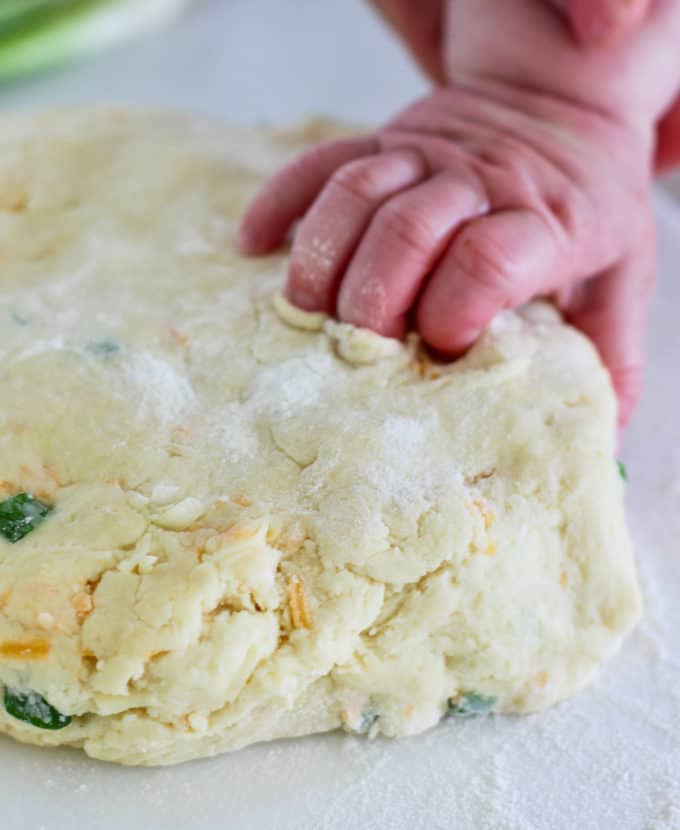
pixel 612 311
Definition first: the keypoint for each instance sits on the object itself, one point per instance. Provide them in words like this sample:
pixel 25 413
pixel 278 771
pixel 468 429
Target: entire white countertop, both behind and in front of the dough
pixel 608 759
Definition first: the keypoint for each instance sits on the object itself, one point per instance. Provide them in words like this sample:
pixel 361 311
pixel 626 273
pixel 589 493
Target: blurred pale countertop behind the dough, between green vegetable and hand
pixel 246 60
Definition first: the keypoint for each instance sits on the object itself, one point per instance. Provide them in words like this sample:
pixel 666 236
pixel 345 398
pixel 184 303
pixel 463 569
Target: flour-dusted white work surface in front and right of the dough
pixel 610 757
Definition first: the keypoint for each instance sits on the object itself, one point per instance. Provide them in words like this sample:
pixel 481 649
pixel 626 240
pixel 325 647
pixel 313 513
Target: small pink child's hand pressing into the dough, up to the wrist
pixel 475 199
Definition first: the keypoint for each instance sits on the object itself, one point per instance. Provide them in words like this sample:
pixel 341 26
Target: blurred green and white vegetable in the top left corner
pixel 36 34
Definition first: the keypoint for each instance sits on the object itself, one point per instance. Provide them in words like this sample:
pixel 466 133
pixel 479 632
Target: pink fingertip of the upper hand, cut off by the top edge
pixel 598 21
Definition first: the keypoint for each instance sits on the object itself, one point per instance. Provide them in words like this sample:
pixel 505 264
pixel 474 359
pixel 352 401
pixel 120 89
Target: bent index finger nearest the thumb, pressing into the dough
pixel 496 262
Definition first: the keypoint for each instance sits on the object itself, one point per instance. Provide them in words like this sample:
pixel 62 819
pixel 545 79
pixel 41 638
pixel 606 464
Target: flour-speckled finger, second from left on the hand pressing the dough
pixel 333 226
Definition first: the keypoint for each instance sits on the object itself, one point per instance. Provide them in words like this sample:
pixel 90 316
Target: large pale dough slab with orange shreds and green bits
pixel 249 522
